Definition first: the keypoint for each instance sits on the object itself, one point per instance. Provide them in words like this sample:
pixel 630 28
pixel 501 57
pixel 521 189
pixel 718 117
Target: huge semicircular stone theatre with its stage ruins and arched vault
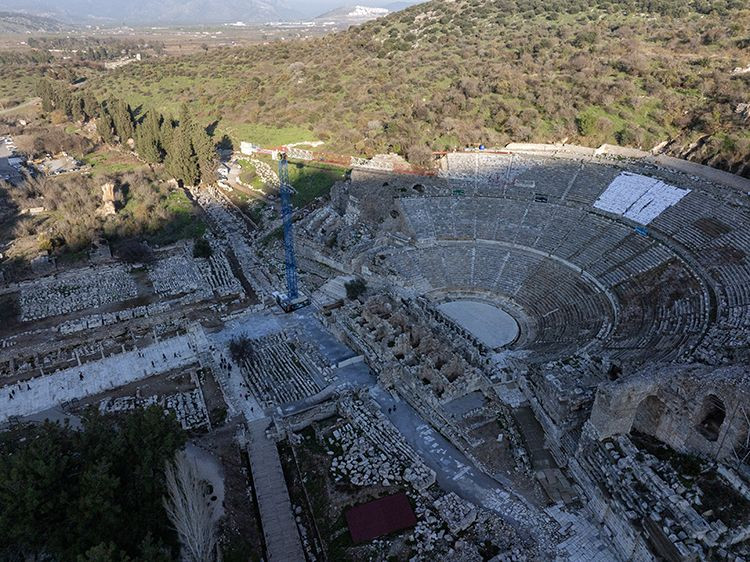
pixel 615 270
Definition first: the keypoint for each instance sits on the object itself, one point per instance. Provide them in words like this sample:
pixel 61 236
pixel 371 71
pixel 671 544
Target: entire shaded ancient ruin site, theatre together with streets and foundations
pixel 547 354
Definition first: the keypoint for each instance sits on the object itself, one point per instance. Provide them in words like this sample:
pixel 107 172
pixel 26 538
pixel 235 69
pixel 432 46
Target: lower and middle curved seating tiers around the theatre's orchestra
pixel 579 276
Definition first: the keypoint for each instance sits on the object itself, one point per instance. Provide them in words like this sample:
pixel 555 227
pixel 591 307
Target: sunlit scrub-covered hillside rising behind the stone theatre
pixel 445 74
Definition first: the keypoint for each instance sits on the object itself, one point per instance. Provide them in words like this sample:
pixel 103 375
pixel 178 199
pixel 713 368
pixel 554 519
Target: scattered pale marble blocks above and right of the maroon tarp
pixel 367 451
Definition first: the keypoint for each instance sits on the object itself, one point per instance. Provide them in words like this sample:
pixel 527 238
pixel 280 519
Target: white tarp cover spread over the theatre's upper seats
pixel 639 198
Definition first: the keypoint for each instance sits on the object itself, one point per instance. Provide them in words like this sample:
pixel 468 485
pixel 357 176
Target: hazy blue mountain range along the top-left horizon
pixel 158 12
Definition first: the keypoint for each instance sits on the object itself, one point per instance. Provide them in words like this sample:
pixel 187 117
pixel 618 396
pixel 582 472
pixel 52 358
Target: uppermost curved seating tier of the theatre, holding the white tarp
pixel 707 224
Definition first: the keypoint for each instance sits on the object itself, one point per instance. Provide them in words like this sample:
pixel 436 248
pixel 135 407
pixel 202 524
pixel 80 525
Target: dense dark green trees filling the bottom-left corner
pixel 94 493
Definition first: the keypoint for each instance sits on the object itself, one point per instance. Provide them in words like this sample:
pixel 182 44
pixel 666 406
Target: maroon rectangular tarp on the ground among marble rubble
pixel 380 517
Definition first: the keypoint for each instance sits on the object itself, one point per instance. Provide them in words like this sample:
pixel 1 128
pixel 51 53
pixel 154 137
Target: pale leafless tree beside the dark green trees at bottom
pixel 190 510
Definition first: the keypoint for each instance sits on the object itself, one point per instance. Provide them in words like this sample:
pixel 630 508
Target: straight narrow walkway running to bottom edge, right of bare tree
pixel 279 528
